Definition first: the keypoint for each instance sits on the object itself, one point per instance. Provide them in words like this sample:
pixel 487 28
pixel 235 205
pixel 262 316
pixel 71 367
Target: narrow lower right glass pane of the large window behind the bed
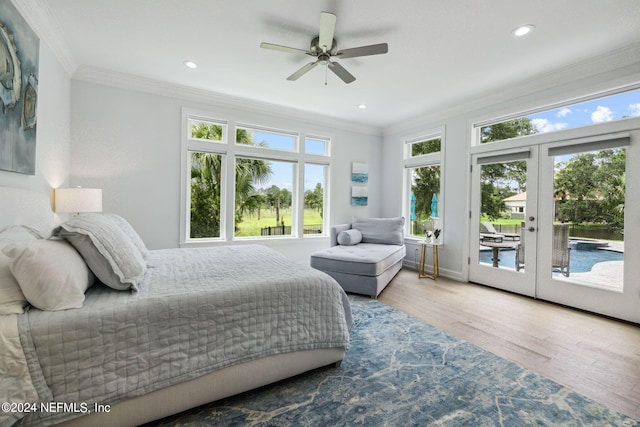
pixel 315 189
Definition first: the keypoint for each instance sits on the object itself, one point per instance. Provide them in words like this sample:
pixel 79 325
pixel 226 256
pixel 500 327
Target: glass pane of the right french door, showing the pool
pixel 588 227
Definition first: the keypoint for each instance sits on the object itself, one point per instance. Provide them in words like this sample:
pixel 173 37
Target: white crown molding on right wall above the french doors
pixel 623 61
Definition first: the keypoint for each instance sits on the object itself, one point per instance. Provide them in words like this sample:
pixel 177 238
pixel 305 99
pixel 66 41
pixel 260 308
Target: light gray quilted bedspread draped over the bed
pixel 196 311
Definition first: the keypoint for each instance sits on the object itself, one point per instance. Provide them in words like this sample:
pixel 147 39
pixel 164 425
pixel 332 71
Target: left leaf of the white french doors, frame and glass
pixel 503 256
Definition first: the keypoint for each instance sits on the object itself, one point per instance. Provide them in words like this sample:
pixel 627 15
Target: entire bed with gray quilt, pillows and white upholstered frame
pixel 197 325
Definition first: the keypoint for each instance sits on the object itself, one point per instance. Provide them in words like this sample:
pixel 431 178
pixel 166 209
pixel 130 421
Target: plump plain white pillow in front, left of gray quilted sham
pixel 51 274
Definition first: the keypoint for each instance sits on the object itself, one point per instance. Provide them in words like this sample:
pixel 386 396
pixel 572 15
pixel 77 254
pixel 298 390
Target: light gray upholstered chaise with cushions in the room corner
pixel 364 255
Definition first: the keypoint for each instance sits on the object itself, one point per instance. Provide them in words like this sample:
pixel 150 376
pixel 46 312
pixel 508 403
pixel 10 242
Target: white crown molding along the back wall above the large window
pixel 156 87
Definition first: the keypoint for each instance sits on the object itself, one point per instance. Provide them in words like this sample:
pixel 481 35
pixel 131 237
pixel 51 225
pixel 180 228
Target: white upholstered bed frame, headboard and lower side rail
pixel 18 206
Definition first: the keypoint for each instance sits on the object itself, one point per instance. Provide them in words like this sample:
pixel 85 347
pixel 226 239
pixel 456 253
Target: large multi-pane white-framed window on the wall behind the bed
pixel 265 185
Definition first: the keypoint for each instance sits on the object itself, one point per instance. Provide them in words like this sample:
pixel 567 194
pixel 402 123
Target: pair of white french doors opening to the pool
pixel 548 221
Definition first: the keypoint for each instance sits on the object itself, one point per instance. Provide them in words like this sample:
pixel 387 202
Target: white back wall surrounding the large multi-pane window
pixel 127 142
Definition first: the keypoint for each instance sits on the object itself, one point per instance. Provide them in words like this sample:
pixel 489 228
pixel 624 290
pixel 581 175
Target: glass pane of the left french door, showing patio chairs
pixel 502 213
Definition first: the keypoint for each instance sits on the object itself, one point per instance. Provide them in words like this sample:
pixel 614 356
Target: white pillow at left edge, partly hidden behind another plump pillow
pixel 12 300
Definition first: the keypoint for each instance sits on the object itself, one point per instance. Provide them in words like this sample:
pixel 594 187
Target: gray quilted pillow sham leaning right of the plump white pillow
pixel 107 250
